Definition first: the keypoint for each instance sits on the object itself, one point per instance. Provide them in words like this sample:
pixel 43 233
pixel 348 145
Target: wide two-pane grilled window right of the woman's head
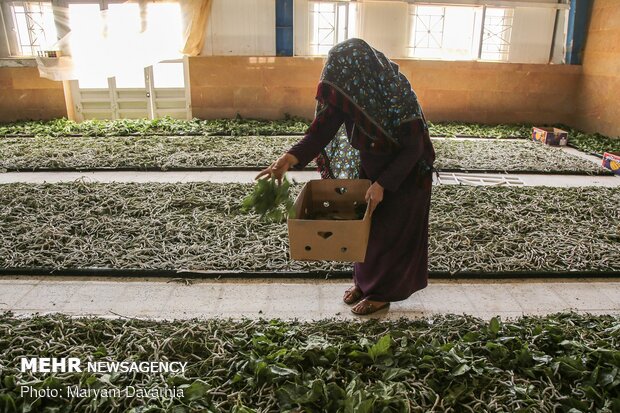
pixel 459 33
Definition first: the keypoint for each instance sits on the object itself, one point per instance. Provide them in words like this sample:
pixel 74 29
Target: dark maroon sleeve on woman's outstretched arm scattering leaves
pixel 319 134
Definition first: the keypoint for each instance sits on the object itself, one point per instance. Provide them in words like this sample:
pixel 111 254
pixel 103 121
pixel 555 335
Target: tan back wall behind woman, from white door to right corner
pixel 268 87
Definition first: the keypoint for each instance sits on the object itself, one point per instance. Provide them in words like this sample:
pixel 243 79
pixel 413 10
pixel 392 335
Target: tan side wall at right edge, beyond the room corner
pixel 598 107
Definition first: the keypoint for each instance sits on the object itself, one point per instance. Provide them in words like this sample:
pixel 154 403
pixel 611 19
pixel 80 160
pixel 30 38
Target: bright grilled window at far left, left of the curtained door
pixel 31 27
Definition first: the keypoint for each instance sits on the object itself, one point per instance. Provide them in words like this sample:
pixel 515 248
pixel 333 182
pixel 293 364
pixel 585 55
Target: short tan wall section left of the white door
pixel 25 95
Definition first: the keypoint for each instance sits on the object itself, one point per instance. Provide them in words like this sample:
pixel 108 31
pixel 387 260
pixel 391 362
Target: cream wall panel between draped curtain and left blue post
pixel 241 28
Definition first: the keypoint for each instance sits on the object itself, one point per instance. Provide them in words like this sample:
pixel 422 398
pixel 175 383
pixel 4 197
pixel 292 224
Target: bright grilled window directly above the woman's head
pixel 331 23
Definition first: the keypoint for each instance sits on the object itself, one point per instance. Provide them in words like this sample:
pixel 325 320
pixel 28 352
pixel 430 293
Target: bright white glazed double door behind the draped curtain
pixel 136 90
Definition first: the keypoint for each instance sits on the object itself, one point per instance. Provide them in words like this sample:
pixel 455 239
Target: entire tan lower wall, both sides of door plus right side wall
pixel 585 96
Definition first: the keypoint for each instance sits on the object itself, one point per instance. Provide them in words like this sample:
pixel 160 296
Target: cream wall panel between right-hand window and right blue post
pixel 532 34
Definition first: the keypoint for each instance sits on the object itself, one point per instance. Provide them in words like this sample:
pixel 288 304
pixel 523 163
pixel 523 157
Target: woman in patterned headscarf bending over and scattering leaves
pixel 387 141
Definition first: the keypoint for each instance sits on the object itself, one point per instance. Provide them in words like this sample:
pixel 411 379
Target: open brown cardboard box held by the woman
pixel 342 239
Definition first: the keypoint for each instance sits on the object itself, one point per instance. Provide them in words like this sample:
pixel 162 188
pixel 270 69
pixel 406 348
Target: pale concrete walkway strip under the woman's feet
pixel 298 299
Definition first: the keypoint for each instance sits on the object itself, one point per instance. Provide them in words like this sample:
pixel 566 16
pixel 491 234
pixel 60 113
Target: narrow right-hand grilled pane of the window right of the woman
pixel 496 33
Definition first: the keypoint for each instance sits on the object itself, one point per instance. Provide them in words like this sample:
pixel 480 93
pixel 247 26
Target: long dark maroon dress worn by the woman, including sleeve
pixel 396 263
